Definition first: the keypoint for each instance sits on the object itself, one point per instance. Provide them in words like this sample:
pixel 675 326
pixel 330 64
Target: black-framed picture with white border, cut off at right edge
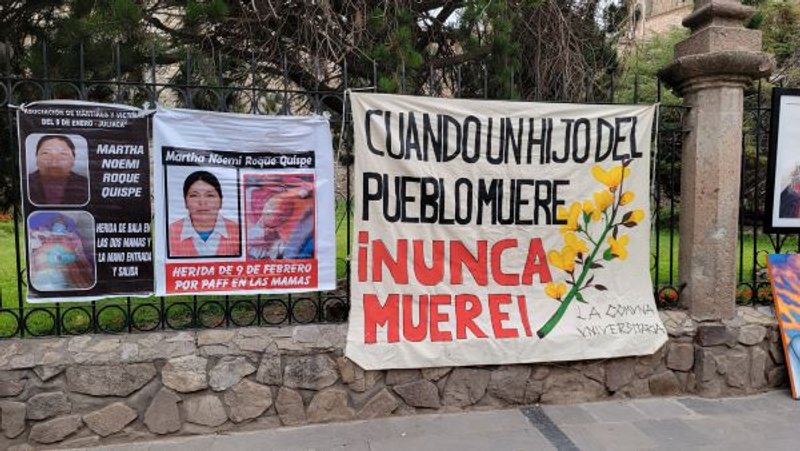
pixel 783 179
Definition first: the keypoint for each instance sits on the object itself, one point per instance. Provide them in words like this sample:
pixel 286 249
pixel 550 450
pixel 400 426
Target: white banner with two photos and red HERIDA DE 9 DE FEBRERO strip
pixel 245 203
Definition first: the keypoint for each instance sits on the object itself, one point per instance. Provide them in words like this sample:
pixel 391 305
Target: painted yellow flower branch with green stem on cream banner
pixel 581 254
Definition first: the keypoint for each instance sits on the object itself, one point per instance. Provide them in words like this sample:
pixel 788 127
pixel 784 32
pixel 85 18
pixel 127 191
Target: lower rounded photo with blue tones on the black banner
pixel 61 250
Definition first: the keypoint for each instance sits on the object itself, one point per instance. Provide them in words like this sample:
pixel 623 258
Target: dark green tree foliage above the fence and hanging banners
pixel 528 49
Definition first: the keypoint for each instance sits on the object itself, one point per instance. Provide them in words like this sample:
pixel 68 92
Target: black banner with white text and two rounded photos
pixel 85 177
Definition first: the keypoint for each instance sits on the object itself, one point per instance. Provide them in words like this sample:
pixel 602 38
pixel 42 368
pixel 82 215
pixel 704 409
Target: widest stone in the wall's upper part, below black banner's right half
pixel 109 380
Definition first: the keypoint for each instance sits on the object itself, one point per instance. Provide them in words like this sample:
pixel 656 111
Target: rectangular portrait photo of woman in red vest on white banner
pixel 203 211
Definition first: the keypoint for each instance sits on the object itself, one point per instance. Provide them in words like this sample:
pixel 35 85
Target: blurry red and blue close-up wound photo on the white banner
pixel 280 216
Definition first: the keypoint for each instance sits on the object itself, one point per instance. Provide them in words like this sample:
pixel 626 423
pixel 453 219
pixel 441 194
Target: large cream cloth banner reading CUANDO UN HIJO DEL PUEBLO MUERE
pixel 491 232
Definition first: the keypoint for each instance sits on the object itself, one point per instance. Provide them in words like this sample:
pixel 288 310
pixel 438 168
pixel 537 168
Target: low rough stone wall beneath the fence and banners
pixel 85 390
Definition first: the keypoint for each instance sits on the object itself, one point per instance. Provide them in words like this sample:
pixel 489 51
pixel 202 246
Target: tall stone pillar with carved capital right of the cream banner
pixel 711 69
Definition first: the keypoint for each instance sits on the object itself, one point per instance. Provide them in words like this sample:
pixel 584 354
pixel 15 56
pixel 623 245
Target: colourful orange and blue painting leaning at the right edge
pixel 784 275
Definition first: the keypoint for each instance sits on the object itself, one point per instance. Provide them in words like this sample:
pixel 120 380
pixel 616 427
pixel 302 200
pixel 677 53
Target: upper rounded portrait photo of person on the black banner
pixel 57 170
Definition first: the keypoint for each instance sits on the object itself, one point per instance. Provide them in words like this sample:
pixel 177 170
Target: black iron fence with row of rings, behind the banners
pixel 274 93
